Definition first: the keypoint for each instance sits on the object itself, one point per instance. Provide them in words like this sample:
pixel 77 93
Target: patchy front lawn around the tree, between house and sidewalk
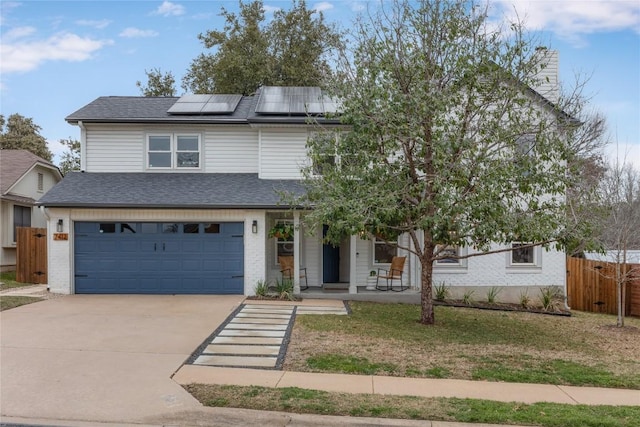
pixel 584 350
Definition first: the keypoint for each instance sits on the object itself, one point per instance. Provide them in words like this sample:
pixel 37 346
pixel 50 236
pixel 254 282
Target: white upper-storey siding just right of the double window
pixel 231 150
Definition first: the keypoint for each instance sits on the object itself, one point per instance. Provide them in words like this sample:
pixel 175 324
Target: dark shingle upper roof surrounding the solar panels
pixel 129 109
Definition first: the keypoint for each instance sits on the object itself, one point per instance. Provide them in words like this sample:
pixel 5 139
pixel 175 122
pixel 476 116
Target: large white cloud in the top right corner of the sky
pixel 572 20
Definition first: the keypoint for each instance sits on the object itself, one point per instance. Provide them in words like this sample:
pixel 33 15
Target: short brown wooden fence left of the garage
pixel 31 255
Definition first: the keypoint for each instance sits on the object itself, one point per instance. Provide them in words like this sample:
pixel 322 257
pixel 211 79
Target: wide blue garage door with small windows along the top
pixel 159 258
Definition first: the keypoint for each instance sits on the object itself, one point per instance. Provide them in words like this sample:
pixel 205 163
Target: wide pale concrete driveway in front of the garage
pixel 102 357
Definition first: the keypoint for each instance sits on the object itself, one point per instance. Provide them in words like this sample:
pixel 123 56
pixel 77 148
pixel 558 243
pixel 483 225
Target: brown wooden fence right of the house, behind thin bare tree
pixel 591 286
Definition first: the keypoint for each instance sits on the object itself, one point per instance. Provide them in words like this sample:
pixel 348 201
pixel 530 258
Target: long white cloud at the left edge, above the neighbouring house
pixel 22 56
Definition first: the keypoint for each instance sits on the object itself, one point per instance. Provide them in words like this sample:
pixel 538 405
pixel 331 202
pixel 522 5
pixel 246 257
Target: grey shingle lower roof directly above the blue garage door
pixel 169 190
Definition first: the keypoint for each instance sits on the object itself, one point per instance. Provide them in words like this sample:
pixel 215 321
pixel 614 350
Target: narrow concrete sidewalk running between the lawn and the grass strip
pixel 422 387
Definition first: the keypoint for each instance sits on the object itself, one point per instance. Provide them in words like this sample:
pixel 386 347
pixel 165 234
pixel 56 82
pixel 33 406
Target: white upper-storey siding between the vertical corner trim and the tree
pixel 282 153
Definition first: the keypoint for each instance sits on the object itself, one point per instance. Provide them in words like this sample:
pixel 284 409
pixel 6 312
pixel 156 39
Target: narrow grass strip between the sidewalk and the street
pixel 406 407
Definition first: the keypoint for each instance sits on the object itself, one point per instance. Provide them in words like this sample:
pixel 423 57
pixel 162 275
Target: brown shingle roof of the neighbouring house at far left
pixel 14 165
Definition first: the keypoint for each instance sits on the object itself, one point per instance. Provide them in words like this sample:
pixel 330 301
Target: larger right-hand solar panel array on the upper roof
pixel 294 101
